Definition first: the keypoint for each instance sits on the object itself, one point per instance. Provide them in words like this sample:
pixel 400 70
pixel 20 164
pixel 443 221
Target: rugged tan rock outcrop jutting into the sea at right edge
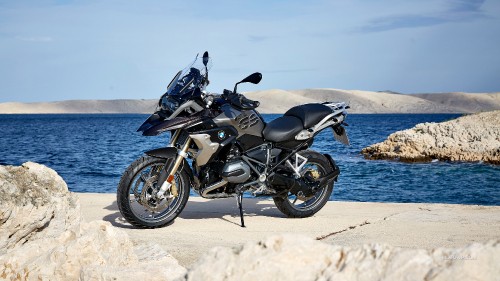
pixel 469 138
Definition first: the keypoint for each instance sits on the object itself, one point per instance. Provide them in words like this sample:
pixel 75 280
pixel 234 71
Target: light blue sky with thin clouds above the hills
pixel 54 50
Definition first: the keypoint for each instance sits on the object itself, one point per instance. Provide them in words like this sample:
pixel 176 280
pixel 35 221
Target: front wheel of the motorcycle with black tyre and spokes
pixel 136 194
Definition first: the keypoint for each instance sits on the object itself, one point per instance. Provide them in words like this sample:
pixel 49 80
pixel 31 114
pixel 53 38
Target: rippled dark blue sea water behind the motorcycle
pixel 91 151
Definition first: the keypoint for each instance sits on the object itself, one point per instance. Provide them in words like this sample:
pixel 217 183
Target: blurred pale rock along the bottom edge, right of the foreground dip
pixel 290 257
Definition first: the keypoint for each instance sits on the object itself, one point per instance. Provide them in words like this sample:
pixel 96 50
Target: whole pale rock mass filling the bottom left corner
pixel 43 236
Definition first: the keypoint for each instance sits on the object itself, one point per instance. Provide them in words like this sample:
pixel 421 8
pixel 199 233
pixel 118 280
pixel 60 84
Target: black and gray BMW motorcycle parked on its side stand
pixel 221 147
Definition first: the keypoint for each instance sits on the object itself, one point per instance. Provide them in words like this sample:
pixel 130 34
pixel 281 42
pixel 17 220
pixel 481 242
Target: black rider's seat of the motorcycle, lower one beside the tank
pixel 282 129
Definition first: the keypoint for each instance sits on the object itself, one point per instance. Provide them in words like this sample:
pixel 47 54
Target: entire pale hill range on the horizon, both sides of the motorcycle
pixel 278 101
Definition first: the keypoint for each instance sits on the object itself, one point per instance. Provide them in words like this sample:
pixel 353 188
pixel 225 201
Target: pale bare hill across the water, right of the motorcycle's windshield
pixel 278 101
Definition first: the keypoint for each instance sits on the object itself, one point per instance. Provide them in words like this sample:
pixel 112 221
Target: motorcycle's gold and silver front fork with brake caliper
pixel 169 181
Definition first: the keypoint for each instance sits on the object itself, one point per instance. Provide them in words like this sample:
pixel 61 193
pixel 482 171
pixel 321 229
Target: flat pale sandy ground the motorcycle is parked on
pixel 207 223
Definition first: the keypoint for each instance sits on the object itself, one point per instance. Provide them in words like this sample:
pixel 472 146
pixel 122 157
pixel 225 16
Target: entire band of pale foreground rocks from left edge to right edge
pixel 43 236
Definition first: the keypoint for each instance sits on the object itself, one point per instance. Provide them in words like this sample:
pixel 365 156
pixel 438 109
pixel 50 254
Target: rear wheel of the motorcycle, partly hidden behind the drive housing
pixel 296 206
